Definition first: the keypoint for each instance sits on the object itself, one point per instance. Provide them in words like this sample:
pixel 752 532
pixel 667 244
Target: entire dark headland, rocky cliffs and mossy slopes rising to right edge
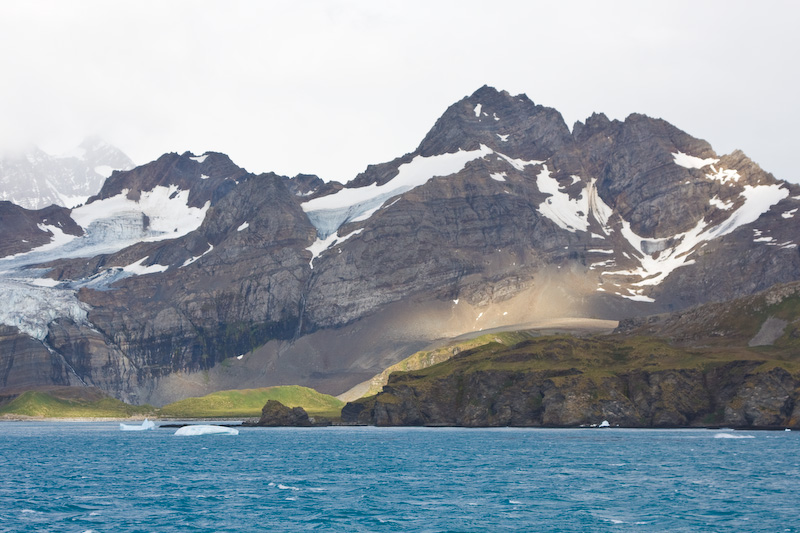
pixel 696 367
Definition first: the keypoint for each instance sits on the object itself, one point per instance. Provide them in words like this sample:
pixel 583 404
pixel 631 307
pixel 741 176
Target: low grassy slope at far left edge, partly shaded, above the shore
pixel 71 402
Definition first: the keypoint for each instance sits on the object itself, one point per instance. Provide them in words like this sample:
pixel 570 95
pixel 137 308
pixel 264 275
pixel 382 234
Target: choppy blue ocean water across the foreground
pixel 92 477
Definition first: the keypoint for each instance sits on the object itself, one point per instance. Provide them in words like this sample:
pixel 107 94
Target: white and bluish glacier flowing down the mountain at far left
pixel 32 302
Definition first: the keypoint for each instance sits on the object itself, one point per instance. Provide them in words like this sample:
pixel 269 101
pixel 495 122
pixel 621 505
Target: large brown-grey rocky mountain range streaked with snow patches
pixel 189 275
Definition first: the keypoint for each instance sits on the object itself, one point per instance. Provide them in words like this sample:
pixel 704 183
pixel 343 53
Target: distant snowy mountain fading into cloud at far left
pixel 34 179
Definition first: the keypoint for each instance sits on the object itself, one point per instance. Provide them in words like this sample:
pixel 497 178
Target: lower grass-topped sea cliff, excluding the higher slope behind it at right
pixel 567 382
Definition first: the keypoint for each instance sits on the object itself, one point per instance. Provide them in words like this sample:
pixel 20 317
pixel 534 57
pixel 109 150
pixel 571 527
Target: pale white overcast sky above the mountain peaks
pixel 328 87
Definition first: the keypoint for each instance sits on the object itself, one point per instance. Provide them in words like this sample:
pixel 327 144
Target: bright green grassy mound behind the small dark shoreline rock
pixel 249 402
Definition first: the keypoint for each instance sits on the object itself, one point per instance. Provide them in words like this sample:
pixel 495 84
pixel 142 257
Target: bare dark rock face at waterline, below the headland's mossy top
pixel 734 395
